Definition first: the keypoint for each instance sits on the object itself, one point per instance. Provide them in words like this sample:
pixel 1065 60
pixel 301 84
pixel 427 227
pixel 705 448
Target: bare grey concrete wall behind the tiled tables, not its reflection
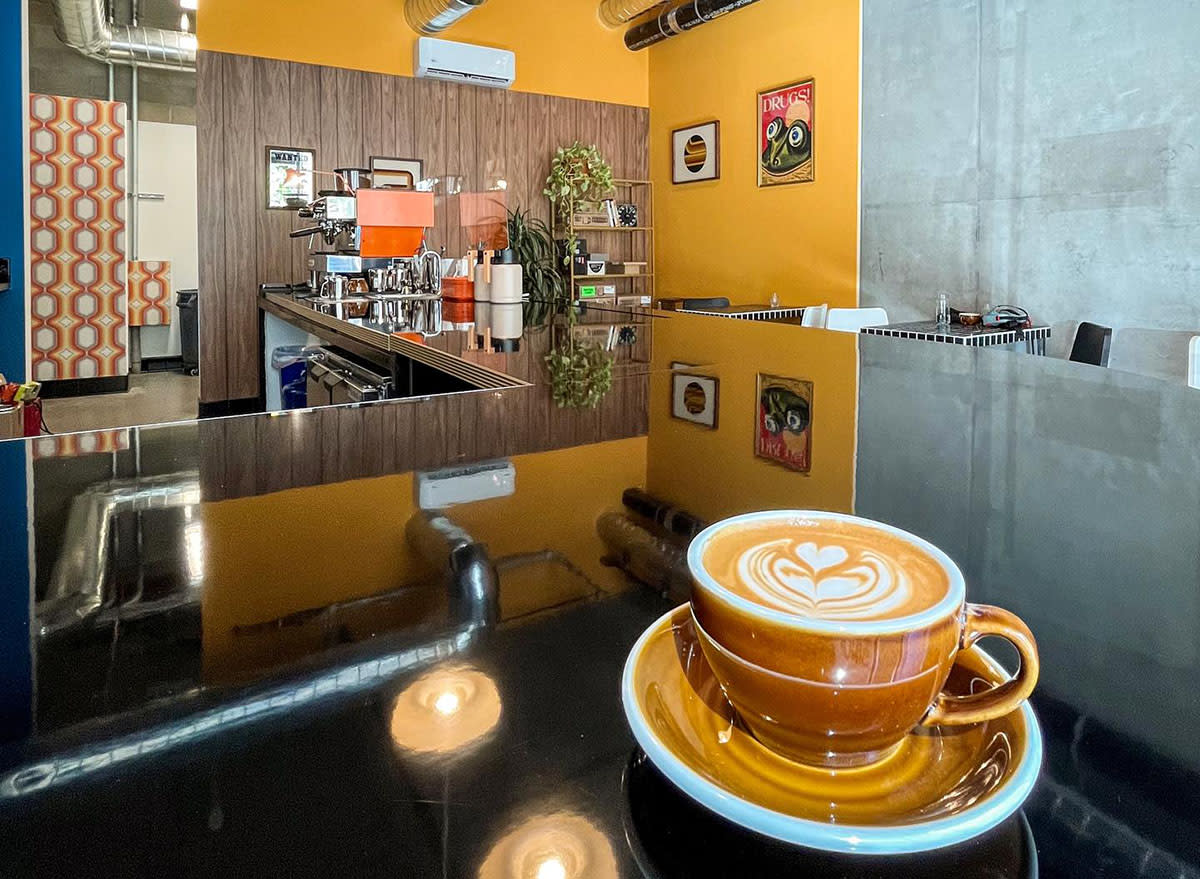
pixel 1040 154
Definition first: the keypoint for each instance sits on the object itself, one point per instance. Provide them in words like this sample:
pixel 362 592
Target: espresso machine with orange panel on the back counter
pixel 369 259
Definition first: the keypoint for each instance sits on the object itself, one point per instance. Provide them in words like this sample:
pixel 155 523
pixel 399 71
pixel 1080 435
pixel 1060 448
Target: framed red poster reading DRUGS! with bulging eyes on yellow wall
pixel 787 119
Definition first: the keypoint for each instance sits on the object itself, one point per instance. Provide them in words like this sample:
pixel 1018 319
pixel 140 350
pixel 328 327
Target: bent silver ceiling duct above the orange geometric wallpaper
pixel 83 26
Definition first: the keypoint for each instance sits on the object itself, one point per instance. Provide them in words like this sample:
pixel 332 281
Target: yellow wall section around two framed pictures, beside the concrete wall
pixel 729 237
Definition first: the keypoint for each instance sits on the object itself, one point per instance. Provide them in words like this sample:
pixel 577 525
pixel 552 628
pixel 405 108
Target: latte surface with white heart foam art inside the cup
pixel 825 570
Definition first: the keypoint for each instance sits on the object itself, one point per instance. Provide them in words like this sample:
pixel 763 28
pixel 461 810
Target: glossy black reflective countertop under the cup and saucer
pixel 225 683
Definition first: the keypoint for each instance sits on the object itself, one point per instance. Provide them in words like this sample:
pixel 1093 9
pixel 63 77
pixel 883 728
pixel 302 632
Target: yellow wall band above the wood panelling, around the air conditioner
pixel 562 49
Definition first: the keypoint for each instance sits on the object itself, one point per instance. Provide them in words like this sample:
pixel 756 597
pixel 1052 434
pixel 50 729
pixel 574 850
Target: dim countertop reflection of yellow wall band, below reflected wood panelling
pixel 302 549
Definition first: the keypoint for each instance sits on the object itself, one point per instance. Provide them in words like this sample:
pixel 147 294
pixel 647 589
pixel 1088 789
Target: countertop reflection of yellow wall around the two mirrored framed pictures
pixel 715 474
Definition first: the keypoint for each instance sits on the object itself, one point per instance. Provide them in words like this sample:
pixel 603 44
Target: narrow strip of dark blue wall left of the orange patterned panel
pixel 13 200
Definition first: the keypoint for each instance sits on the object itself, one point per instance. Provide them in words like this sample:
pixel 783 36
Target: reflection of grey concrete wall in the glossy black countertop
pixel 1048 483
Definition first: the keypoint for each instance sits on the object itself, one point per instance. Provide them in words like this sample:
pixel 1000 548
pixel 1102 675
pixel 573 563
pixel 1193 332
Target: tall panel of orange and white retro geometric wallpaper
pixel 77 202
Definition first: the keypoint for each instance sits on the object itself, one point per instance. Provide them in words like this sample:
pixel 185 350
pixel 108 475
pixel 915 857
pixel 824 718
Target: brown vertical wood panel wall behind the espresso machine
pixel 244 105
